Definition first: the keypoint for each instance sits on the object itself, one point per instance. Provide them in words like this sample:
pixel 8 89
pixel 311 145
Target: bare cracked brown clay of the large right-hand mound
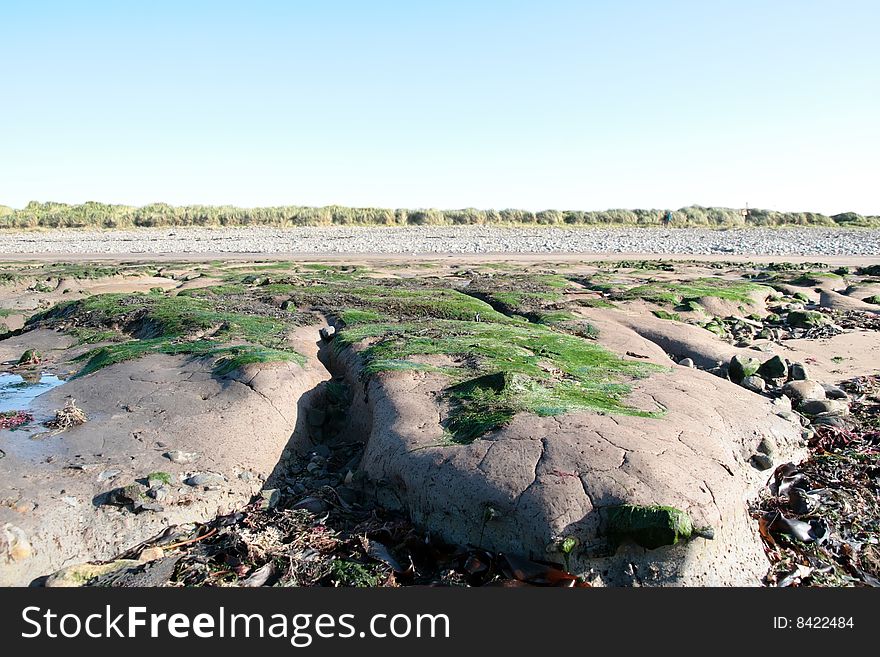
pixel 541 480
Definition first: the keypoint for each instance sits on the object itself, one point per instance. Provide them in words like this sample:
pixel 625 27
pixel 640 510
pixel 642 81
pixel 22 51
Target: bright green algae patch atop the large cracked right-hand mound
pixel 499 370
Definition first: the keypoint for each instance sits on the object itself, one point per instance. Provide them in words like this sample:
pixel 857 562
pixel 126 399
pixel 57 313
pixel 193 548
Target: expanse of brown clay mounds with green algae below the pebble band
pixel 546 454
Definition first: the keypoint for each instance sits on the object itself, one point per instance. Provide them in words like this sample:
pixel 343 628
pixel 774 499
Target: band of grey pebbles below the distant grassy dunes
pixel 413 240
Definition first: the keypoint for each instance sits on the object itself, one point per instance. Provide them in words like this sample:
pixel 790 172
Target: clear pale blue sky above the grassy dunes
pixel 545 104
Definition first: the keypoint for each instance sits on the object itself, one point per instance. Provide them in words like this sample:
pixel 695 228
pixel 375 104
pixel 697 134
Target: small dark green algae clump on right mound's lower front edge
pixel 650 527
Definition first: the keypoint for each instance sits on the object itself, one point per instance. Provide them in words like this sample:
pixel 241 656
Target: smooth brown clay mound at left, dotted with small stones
pixel 166 441
